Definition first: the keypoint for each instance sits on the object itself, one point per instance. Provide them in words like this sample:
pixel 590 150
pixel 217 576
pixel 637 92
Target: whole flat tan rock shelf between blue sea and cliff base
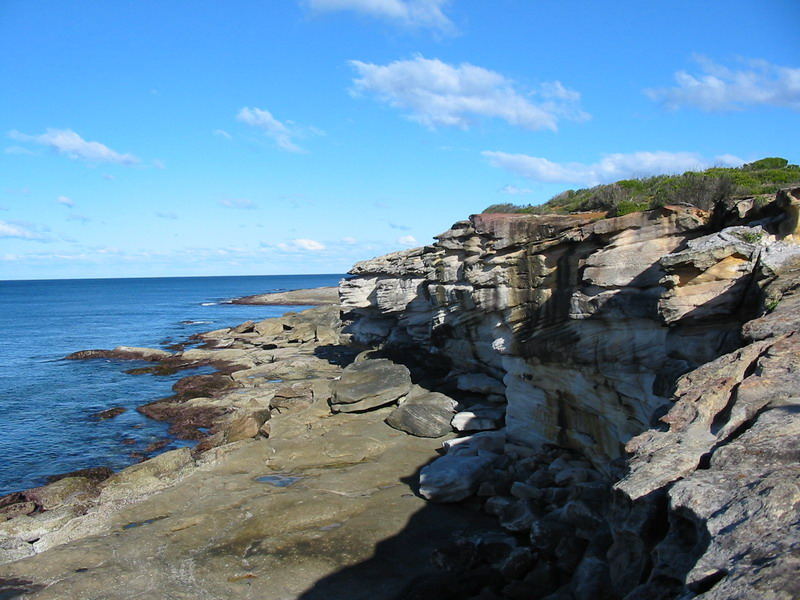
pixel 266 430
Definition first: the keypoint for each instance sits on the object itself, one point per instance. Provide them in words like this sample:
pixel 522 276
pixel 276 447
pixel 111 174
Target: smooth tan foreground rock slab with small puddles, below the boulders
pixel 322 509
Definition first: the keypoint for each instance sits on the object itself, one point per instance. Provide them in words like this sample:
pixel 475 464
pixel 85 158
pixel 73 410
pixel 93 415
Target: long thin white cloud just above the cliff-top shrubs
pixel 611 167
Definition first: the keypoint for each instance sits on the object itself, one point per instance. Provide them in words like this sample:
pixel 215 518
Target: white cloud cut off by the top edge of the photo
pixel 412 13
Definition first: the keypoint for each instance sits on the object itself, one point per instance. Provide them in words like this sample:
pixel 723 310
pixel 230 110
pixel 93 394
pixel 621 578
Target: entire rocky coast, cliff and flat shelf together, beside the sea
pixel 534 407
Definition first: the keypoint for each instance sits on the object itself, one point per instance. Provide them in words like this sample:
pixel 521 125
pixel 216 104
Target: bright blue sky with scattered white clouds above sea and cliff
pixel 249 137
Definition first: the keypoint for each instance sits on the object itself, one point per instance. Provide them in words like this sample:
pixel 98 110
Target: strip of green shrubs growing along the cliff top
pixel 702 189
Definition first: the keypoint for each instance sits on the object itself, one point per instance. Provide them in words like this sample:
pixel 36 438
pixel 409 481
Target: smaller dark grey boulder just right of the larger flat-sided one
pixel 424 414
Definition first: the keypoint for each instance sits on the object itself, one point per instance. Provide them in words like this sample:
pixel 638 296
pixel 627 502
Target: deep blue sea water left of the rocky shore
pixel 46 402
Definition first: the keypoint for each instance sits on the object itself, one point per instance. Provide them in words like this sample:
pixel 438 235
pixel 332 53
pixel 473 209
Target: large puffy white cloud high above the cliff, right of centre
pixel 436 93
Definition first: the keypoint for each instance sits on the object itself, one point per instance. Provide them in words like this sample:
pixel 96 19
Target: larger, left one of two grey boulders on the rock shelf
pixel 370 384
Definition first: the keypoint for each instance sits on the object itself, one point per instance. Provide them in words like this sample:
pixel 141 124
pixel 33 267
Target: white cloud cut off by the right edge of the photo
pixel 718 88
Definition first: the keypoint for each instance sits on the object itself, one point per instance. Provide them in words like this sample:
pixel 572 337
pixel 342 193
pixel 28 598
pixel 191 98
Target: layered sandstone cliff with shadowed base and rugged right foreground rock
pixel 620 340
